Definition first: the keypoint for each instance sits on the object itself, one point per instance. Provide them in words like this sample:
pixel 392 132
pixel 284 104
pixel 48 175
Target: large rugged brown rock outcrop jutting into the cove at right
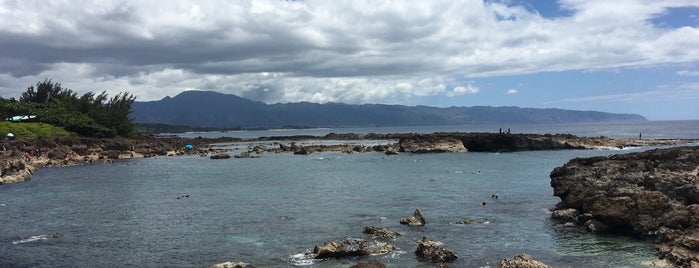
pixel 653 193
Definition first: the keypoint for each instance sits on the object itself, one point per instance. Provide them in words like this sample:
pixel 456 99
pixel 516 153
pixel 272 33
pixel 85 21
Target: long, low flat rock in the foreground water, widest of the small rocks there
pixel 351 248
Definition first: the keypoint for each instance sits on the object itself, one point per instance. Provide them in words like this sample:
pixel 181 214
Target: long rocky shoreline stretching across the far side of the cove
pixel 20 158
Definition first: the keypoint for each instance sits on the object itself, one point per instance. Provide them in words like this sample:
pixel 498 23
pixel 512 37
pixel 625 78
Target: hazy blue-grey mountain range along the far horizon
pixel 218 110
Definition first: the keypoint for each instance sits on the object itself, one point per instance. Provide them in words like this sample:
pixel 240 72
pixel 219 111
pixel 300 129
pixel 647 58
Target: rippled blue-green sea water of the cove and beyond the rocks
pixel 192 211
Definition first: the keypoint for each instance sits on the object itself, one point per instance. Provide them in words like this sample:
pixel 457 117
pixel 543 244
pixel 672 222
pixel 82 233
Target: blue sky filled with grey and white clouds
pixel 622 56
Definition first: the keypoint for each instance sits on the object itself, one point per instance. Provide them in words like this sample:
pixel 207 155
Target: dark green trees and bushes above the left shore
pixel 92 115
